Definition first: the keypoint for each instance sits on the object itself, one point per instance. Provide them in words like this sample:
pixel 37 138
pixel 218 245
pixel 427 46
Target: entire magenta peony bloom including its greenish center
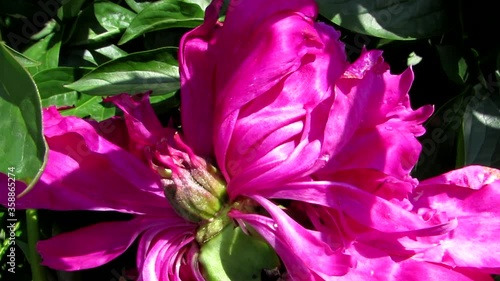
pixel 281 137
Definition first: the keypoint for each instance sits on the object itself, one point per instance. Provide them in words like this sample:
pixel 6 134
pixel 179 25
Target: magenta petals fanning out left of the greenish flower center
pixel 86 170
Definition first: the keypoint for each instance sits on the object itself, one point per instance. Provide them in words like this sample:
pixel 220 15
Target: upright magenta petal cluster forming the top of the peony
pixel 276 85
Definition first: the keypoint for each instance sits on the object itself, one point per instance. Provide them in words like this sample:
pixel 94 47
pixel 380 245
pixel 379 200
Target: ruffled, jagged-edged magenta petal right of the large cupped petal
pixel 382 117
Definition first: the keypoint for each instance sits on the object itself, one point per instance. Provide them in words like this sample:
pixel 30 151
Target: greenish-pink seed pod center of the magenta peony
pixel 194 188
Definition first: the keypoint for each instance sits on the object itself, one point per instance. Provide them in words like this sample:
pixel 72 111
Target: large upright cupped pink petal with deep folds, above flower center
pixel 279 134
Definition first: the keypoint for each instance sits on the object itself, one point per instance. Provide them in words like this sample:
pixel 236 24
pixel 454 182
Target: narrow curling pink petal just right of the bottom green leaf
pixel 310 253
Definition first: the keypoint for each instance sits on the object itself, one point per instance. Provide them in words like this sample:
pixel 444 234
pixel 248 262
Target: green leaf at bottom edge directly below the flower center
pixel 233 255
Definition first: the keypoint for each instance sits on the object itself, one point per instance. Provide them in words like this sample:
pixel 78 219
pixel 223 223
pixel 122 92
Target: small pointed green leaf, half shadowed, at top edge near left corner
pixel 99 22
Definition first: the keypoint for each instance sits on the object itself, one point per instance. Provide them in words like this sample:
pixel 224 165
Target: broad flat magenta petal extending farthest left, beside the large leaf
pixel 86 172
